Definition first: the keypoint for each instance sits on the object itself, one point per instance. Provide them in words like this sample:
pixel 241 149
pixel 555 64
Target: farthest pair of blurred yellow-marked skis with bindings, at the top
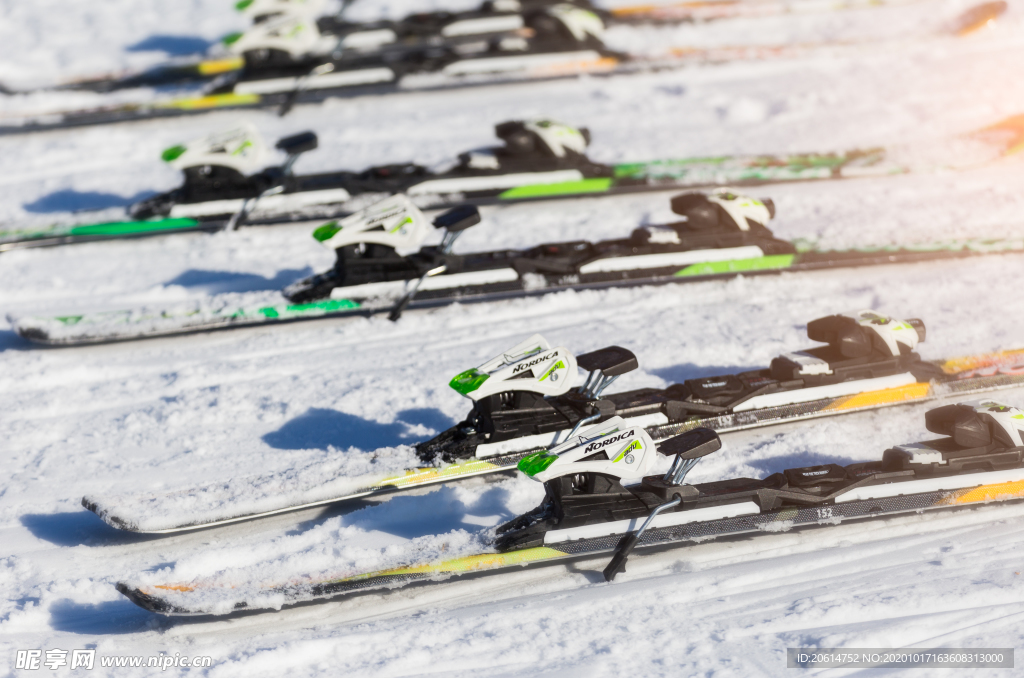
pixel 292 57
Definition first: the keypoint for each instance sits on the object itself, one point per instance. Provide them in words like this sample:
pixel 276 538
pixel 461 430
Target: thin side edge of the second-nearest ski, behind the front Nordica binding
pixel 424 477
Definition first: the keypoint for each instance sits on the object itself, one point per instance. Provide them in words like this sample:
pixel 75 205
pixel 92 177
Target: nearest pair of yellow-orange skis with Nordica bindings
pixel 602 465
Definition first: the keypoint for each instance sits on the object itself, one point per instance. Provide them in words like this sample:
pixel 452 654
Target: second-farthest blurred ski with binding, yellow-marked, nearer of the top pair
pixel 558 41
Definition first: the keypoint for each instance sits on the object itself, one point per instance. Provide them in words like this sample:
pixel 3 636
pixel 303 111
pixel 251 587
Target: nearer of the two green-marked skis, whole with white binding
pixel 383 267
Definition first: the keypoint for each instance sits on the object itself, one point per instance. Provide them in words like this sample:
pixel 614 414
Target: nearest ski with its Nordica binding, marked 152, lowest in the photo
pixel 602 497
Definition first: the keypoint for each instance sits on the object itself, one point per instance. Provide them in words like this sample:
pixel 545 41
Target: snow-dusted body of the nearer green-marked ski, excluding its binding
pixel 694 266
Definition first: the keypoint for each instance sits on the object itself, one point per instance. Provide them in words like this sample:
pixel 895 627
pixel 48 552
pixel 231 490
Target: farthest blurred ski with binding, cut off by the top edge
pixel 293 38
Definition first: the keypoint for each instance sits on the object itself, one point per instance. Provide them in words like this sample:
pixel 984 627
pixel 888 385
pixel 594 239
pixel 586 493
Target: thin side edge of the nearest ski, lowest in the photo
pixel 152 598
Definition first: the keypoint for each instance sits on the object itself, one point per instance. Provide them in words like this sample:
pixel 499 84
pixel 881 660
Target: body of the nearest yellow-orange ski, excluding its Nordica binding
pixel 237 590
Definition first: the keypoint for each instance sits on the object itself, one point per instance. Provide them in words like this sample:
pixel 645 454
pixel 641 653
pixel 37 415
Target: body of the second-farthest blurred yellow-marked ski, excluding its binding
pixel 316 87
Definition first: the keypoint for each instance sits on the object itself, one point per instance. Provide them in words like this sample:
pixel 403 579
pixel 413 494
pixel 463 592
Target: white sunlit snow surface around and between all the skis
pixel 160 415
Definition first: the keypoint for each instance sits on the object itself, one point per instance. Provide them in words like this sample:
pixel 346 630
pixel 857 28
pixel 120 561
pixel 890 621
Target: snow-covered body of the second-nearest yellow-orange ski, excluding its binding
pixel 398 470
